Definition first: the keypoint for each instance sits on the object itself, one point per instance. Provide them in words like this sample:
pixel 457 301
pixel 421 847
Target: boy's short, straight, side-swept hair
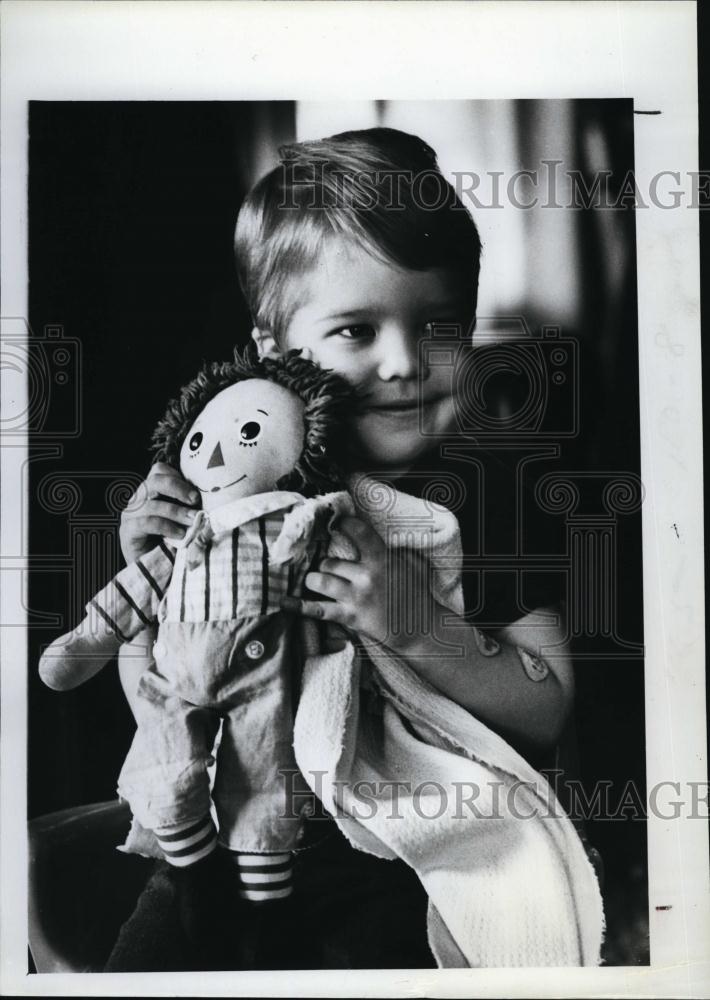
pixel 379 187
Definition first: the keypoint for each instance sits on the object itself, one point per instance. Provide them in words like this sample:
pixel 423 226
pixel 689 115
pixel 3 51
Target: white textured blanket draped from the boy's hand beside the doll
pixel 503 890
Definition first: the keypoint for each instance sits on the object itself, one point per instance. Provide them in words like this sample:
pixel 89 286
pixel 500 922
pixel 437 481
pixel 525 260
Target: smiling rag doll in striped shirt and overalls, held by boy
pixel 257 438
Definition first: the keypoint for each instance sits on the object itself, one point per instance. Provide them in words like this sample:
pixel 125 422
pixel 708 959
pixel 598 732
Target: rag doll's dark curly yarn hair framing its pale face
pixel 327 399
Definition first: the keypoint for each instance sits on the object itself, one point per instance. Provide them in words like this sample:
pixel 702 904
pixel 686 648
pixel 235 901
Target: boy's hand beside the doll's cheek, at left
pixel 156 510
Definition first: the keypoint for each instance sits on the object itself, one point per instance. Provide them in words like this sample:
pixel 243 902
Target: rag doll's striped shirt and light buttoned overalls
pixel 225 652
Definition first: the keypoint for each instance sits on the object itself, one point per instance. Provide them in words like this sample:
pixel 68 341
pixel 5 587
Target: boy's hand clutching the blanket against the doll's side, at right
pixel 375 594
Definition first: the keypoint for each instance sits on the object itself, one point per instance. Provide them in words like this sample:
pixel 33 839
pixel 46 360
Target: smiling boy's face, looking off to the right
pixel 367 319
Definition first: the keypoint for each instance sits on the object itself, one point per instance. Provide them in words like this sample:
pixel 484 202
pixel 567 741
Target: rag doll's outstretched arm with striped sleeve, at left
pixel 115 615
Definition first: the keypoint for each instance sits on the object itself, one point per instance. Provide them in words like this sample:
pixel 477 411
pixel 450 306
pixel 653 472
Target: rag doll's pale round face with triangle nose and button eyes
pixel 244 440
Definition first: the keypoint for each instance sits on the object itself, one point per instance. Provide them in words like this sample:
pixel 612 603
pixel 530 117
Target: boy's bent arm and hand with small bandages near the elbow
pixel 505 682
